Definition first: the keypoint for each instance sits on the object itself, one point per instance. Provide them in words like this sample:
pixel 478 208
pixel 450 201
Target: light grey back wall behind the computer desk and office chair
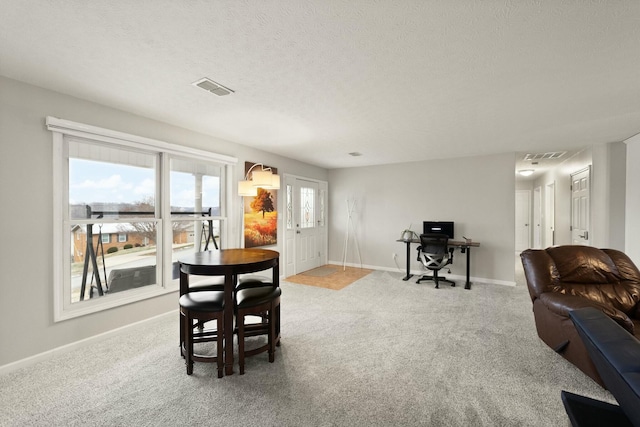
pixel 478 193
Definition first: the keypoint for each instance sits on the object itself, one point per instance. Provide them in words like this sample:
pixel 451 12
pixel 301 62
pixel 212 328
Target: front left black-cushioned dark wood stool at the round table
pixel 202 306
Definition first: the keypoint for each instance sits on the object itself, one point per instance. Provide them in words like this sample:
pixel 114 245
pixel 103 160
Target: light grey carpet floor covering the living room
pixel 381 352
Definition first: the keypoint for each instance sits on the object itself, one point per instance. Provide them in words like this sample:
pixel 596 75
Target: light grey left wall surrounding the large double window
pixel 26 318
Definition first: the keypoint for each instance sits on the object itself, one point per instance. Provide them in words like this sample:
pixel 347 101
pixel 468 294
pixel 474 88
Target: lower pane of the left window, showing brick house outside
pixel 100 267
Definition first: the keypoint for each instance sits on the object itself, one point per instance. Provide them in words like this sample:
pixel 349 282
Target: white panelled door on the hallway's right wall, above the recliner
pixel 580 206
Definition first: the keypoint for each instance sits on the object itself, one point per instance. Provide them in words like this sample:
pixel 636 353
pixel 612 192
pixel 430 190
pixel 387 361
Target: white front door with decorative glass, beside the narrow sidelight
pixel 307 225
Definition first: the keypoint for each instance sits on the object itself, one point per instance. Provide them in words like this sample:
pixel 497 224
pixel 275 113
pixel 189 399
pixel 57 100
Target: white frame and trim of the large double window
pixel 62 129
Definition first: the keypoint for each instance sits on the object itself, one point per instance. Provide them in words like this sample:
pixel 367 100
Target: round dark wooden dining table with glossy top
pixel 228 263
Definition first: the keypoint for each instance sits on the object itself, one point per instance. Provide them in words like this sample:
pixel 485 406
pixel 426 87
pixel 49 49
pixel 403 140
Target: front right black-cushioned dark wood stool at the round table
pixel 263 301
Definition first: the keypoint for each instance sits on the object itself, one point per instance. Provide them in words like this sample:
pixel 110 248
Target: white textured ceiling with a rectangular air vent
pixel 396 80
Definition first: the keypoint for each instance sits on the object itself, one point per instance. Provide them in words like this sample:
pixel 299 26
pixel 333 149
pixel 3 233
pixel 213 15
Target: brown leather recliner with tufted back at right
pixel 564 278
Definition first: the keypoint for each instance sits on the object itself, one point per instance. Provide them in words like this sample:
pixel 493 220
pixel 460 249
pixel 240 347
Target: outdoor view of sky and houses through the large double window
pixel 114 228
